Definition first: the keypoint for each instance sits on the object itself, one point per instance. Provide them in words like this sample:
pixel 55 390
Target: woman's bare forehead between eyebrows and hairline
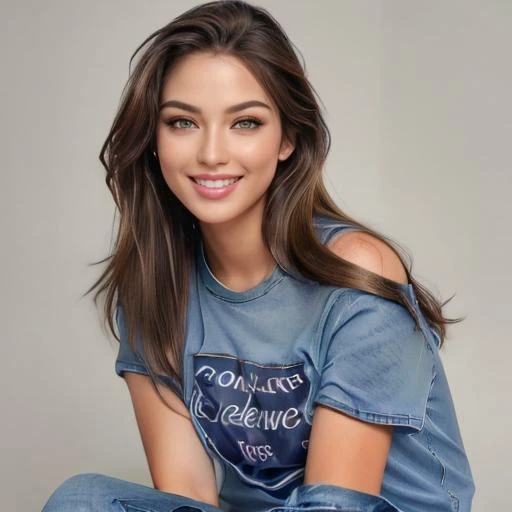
pixel 204 78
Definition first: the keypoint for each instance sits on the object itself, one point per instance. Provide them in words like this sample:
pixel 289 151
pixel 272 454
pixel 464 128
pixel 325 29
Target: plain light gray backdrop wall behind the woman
pixel 418 100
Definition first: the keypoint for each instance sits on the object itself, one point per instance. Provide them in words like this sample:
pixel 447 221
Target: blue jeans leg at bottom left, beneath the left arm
pixel 92 492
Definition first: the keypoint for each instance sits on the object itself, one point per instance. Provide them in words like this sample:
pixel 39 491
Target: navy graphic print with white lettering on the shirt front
pixel 254 416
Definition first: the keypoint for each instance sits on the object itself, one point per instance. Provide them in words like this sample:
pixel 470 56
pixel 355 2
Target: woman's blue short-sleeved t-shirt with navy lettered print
pixel 257 362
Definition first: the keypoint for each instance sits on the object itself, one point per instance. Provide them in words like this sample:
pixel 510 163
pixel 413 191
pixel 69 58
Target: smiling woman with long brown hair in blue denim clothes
pixel 278 353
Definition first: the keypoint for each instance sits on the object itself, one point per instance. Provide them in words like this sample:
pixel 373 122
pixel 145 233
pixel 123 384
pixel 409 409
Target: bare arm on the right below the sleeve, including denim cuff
pixel 345 465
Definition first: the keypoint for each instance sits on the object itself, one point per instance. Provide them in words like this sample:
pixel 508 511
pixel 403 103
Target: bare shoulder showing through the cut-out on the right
pixel 369 252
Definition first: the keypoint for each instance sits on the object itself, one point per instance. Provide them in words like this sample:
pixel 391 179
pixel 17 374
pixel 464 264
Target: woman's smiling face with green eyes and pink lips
pixel 217 122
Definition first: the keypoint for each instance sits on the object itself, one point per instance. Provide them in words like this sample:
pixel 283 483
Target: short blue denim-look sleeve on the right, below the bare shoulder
pixel 375 364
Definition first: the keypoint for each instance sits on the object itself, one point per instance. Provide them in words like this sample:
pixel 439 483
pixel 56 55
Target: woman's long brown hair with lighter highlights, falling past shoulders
pixel 148 270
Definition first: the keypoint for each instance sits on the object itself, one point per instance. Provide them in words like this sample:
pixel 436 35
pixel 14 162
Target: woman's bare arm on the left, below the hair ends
pixel 177 460
